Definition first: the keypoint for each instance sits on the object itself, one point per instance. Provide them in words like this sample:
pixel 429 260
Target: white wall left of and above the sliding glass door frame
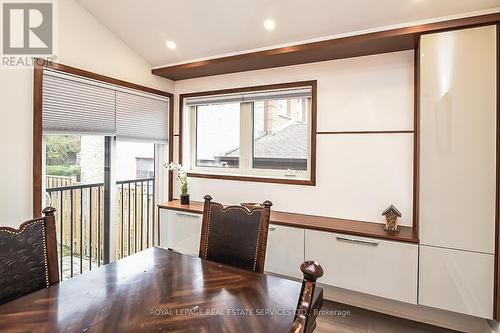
pixel 82 42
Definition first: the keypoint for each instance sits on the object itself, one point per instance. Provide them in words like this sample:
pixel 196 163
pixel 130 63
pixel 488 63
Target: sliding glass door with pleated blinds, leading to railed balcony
pixel 103 147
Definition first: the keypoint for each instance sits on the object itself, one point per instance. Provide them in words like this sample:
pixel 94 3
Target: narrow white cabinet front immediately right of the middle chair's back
pixel 285 251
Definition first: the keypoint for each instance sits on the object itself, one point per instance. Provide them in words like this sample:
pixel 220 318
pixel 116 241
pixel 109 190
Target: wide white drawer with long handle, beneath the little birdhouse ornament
pixel 372 266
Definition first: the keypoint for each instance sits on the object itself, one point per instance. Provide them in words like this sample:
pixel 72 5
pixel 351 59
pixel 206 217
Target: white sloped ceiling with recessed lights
pixel 206 28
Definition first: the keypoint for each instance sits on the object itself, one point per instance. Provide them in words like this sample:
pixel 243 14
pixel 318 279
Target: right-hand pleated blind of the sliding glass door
pixel 141 117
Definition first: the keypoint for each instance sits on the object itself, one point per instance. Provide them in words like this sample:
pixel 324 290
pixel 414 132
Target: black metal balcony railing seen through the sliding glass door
pixel 81 223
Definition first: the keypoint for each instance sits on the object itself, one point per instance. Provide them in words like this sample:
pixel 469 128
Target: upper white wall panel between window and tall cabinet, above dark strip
pixel 372 93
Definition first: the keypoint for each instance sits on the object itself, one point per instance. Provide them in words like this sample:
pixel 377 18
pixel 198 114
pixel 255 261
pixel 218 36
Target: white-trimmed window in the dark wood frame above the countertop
pixel 257 133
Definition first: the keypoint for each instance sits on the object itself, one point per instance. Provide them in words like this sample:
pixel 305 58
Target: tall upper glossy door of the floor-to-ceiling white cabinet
pixel 458 139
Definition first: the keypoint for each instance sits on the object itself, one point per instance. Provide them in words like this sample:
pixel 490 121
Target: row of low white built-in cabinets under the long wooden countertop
pixel 373 266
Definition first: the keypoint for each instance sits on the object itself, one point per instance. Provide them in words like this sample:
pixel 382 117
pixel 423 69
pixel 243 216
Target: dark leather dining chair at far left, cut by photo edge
pixel 28 257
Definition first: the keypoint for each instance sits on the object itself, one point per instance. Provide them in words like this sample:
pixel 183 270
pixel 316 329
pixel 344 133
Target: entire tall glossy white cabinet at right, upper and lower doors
pixel 458 170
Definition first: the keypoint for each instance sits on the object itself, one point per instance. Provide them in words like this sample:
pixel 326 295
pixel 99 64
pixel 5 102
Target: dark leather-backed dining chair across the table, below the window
pixel 235 235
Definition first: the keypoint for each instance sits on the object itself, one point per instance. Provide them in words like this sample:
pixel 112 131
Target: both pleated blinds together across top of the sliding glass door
pixel 76 105
